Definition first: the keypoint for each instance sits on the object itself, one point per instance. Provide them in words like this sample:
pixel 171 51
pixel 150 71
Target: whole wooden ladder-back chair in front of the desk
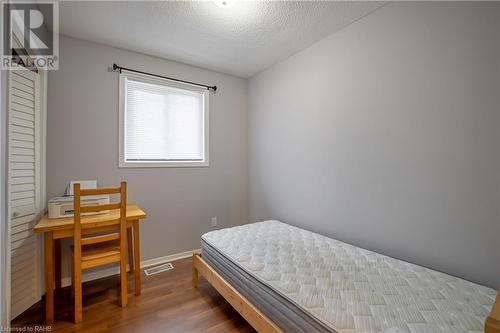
pixel 97 249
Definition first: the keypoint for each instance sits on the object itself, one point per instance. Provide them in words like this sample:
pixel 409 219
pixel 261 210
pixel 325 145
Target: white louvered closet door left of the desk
pixel 24 188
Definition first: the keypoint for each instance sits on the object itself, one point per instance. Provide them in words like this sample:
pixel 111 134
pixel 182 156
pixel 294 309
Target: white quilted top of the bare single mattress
pixel 351 289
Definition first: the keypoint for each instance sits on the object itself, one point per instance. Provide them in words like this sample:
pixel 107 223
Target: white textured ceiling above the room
pixel 241 40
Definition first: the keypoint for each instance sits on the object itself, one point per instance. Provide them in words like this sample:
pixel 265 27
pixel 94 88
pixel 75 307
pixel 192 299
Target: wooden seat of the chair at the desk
pixel 99 254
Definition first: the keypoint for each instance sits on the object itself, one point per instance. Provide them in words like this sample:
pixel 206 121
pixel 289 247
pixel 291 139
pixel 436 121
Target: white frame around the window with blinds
pixel 122 163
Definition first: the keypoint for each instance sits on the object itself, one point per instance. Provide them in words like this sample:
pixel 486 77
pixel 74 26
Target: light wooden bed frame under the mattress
pixel 261 322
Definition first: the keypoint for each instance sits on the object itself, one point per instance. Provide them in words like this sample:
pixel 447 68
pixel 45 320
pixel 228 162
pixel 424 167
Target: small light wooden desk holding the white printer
pixel 56 229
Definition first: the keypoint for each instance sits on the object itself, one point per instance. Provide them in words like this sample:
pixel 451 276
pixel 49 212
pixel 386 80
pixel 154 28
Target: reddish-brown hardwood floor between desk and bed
pixel 168 304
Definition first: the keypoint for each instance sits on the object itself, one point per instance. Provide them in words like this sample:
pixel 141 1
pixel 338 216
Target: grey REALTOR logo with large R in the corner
pixel 30 35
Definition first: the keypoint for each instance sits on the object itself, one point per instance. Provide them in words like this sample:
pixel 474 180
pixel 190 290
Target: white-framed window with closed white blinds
pixel 162 123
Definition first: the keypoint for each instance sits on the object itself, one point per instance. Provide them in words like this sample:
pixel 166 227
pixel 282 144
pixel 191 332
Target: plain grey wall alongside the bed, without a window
pixel 386 135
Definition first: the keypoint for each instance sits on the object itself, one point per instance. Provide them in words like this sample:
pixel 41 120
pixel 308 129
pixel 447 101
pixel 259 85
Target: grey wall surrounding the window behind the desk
pixel 82 143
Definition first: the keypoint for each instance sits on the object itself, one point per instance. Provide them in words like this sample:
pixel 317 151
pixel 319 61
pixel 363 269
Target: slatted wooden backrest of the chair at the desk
pixel 119 221
